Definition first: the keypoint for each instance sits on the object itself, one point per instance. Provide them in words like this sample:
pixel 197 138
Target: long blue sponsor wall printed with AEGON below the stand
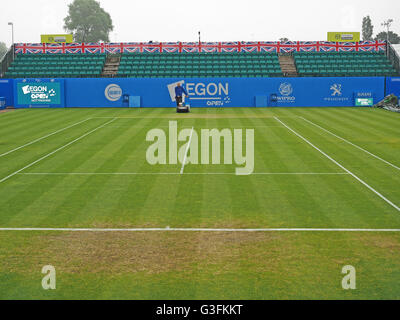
pixel 203 92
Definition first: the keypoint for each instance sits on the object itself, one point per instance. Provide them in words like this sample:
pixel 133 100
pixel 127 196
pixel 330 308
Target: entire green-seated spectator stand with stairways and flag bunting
pixel 170 60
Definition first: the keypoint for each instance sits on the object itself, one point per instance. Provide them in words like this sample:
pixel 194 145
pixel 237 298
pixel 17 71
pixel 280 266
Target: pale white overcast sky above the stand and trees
pixel 218 20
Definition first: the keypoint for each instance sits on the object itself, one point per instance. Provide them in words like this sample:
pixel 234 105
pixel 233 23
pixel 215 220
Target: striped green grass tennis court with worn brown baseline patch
pixel 315 168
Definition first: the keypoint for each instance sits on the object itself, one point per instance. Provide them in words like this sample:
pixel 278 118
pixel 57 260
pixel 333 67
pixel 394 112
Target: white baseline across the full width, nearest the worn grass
pixel 201 229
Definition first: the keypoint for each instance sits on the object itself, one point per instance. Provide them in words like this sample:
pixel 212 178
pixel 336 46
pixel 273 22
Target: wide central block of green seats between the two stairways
pixel 157 65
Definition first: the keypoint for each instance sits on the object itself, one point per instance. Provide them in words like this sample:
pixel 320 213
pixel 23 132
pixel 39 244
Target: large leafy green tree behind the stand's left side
pixel 88 21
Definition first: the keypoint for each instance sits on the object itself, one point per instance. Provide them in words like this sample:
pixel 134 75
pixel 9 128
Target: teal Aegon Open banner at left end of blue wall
pixel 39 92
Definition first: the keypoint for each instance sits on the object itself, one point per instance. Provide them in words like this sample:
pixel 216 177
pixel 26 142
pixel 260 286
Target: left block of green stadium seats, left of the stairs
pixel 56 65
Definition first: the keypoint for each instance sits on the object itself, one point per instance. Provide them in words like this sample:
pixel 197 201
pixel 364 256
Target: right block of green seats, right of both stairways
pixel 343 64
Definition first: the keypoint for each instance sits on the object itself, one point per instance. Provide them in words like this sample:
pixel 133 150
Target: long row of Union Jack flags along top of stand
pixel 193 47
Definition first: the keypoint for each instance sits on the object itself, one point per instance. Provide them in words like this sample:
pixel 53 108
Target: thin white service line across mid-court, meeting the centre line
pixel 173 173
